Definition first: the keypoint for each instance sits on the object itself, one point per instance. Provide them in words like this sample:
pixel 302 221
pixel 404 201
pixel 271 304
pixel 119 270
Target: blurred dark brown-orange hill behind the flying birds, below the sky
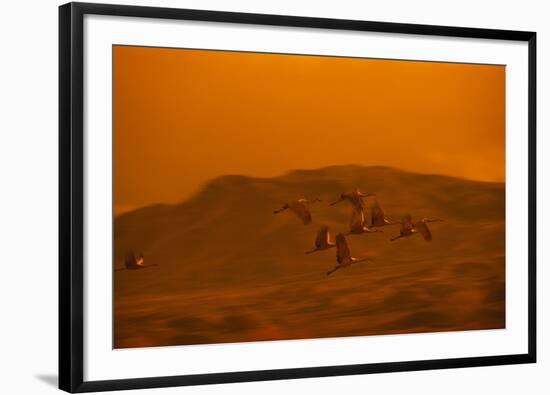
pixel 230 270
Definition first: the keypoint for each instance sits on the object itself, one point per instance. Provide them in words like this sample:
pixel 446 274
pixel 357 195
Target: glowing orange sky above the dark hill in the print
pixel 182 117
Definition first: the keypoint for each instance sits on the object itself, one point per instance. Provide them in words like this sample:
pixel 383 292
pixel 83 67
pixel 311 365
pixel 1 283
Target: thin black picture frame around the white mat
pixel 71 174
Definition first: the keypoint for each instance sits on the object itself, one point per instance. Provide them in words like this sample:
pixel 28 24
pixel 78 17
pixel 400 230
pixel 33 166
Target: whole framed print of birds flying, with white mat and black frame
pixel 251 197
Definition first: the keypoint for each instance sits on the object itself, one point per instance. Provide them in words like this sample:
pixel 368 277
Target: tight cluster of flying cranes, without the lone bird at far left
pixel 358 225
